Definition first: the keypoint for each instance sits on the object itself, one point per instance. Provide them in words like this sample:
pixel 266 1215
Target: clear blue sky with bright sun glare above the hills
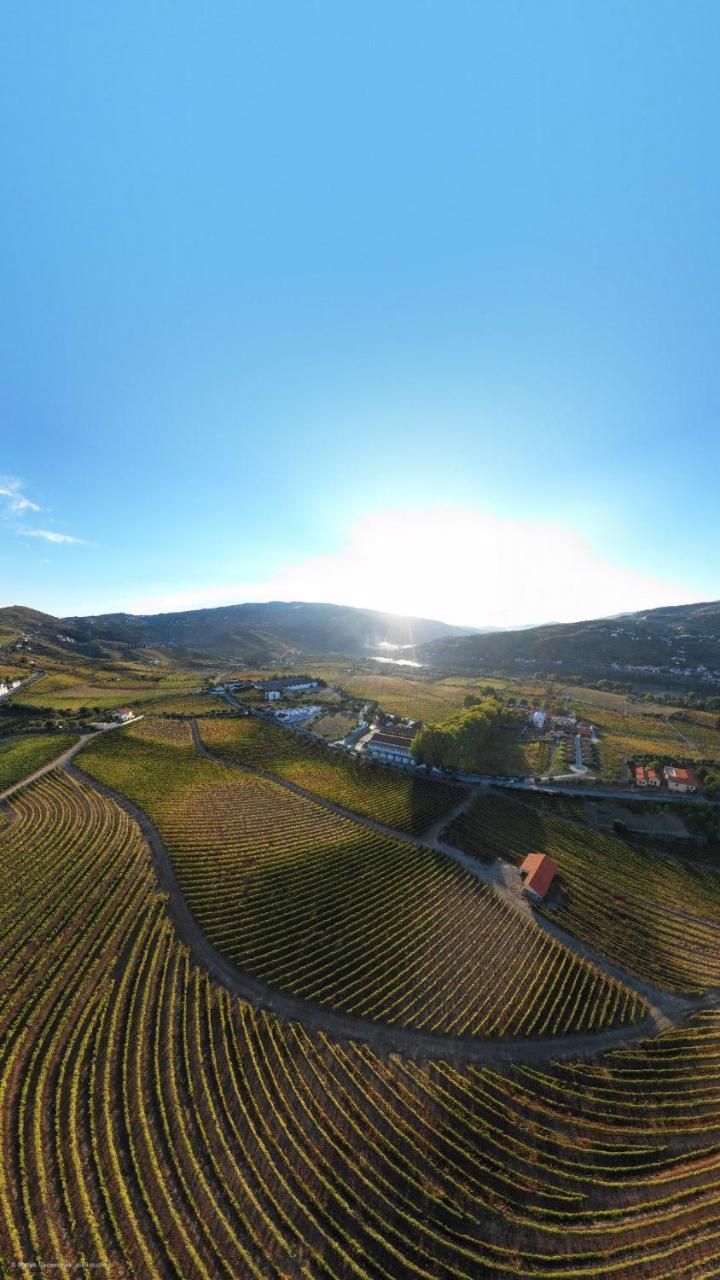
pixel 404 305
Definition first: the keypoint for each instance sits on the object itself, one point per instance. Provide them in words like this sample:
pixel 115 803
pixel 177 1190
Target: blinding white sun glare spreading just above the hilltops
pixel 458 565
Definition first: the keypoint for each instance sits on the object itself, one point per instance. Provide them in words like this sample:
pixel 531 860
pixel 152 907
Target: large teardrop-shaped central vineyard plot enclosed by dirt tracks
pixel 341 916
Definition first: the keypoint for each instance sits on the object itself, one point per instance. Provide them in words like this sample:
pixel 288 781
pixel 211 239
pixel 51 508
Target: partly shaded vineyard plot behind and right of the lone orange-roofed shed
pixel 648 913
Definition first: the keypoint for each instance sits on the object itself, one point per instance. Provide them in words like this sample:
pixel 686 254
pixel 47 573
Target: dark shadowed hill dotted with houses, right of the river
pixel 682 638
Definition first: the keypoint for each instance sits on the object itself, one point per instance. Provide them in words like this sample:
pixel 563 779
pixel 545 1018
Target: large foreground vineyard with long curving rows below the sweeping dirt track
pixel 156 1127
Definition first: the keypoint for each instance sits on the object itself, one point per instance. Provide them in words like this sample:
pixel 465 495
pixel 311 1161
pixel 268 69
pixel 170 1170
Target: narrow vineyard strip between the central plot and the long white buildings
pixel 398 801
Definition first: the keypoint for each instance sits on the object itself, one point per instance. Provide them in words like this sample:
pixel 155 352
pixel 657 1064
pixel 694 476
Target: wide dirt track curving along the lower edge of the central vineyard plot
pixel 381 1037
